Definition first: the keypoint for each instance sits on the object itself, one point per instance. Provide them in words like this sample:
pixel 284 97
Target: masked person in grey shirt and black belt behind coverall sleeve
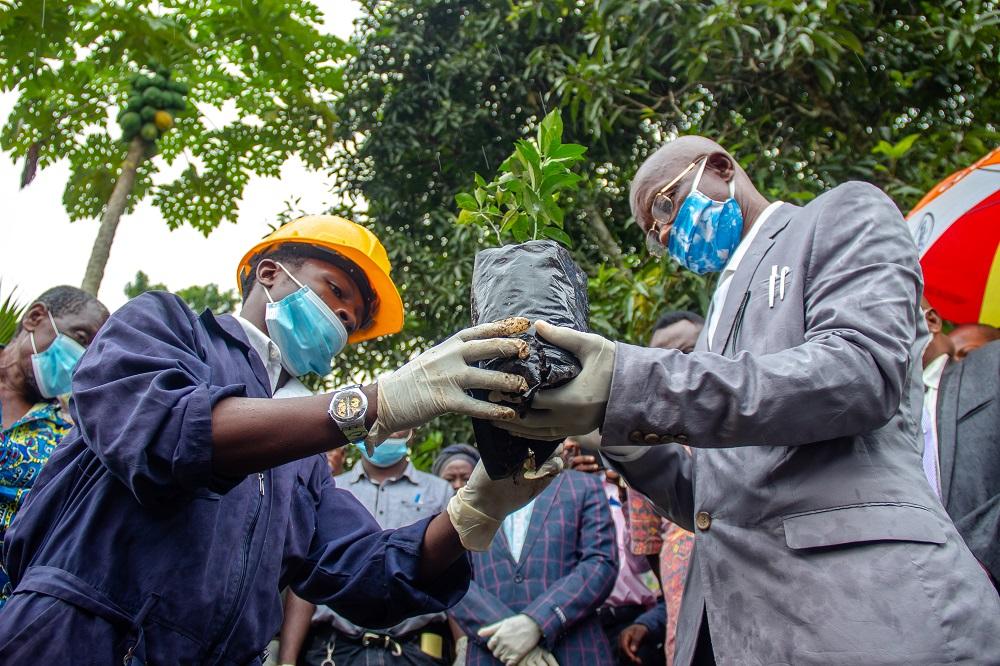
pixel 396 494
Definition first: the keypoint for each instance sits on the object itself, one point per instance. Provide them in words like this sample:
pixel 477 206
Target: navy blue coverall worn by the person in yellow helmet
pixel 128 515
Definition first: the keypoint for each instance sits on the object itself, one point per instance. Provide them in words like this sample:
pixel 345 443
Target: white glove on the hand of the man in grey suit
pixel 578 406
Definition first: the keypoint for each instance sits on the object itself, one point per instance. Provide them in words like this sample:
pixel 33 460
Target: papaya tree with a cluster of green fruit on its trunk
pixel 172 101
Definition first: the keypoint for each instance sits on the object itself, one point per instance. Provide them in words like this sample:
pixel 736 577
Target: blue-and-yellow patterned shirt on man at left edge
pixel 24 448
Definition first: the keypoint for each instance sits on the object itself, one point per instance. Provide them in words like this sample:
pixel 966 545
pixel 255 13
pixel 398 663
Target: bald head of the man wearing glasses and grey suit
pixel 672 158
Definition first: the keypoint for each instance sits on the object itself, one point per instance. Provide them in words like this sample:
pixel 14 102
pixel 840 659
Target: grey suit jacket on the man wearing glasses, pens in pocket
pixel 818 538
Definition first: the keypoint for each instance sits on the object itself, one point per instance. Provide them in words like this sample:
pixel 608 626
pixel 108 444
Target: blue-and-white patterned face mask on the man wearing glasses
pixel 705 231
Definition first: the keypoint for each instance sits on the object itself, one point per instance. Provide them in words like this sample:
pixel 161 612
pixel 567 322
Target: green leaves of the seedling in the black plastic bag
pixel 523 201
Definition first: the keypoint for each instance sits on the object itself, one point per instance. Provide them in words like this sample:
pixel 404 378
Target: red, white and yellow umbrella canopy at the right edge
pixel 957 230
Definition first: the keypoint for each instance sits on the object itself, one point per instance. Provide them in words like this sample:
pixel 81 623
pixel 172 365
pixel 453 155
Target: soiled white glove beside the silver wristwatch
pixel 435 382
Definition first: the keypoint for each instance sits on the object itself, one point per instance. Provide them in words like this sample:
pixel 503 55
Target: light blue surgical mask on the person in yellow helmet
pixel 306 330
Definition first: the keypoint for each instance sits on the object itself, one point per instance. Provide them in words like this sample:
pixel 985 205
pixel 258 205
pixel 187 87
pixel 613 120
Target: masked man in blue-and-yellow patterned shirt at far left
pixel 36 369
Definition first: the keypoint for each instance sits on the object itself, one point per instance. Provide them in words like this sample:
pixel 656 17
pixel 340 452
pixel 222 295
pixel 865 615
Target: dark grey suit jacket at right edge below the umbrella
pixel 968 422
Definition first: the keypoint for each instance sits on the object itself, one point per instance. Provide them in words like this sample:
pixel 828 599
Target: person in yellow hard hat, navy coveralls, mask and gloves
pixel 165 524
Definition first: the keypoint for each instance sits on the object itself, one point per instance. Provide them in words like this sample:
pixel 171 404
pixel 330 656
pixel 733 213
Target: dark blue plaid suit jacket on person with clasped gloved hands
pixel 567 568
